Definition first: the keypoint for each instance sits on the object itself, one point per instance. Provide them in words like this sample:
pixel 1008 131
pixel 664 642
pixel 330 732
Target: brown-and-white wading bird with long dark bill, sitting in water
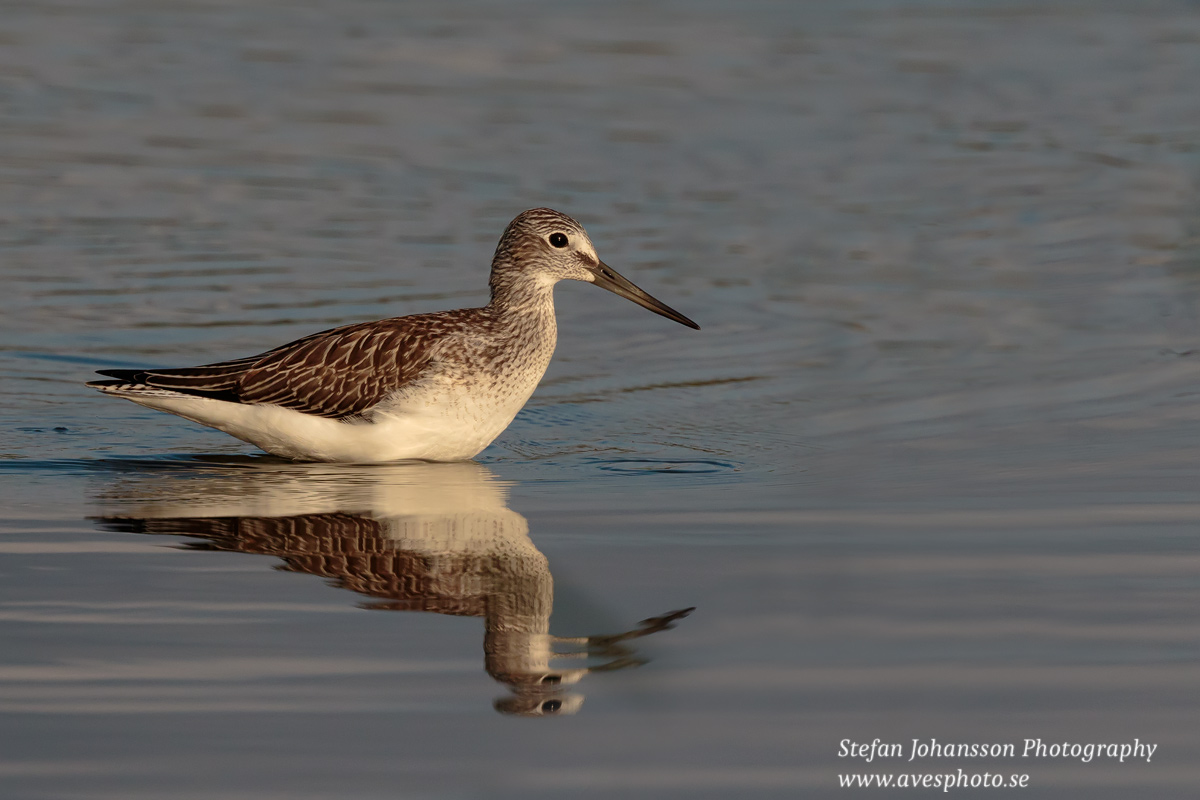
pixel 436 387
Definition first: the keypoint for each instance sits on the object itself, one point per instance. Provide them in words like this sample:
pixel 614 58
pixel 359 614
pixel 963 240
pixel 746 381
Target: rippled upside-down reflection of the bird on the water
pixel 430 538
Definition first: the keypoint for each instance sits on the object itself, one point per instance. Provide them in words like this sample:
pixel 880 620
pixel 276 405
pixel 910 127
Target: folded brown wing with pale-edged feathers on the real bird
pixel 335 374
